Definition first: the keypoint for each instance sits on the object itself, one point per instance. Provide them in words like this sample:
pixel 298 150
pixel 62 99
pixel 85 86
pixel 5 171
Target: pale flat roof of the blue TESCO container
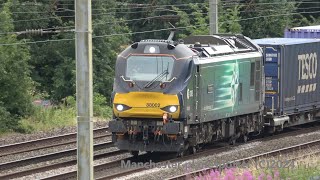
pixel 284 41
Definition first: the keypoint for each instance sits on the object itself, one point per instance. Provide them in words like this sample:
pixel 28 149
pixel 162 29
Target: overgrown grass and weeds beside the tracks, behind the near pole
pixel 49 117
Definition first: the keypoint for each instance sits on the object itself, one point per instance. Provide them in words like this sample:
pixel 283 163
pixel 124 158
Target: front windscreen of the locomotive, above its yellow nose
pixel 146 68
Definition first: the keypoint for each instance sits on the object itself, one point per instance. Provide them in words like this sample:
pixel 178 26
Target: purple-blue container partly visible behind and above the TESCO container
pixel 303 32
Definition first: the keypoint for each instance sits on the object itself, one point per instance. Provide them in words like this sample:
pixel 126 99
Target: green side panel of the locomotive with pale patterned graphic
pixel 229 86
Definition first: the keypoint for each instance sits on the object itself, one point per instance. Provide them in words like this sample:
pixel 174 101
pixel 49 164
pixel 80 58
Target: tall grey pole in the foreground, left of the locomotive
pixel 84 89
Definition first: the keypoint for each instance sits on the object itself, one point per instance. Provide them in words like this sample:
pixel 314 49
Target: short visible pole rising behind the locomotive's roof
pixel 213 16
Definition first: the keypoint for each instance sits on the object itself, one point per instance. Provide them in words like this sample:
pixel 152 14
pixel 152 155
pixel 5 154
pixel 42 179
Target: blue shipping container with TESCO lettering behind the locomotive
pixel 291 74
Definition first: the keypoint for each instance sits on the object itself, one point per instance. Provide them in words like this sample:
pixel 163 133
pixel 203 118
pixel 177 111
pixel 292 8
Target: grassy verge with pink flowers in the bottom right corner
pixel 307 168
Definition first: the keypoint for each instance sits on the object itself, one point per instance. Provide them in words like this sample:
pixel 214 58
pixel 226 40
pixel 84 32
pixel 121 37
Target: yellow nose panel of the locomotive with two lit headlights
pixel 146 105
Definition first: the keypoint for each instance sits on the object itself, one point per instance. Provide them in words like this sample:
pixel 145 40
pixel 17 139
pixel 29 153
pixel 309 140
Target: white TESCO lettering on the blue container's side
pixel 307 66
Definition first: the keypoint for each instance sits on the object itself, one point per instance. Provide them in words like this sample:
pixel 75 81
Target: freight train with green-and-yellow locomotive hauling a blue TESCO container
pixel 176 96
